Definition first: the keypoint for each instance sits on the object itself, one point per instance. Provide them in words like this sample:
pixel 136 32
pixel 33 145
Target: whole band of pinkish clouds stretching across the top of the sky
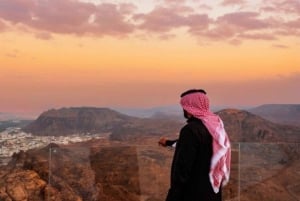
pixel 267 21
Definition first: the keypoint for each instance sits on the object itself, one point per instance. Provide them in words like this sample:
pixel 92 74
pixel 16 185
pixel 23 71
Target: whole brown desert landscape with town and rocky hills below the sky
pixel 94 154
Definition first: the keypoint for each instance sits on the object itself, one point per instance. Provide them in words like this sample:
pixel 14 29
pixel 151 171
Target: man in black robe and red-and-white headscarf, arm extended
pixel 201 162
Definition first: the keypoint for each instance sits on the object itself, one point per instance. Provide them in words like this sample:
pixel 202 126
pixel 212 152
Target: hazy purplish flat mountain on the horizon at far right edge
pixel 279 113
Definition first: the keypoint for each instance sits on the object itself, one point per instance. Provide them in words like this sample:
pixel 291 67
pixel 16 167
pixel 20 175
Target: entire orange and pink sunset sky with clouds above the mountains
pixel 144 53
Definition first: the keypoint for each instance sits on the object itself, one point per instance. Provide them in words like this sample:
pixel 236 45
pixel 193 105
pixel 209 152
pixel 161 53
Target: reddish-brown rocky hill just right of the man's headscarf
pixel 243 126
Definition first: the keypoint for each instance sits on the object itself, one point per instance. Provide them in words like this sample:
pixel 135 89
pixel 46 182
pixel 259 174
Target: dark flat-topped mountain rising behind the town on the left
pixel 76 120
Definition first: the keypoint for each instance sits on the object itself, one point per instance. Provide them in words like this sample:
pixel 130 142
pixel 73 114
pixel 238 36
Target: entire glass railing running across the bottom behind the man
pixel 115 172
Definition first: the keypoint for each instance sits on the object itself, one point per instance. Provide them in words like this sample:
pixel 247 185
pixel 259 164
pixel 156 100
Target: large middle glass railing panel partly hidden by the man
pixel 118 172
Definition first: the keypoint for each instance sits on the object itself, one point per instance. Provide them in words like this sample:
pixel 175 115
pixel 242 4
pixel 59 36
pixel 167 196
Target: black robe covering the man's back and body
pixel 191 165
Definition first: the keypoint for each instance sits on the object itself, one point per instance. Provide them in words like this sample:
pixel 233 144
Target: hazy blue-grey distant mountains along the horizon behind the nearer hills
pixel 279 113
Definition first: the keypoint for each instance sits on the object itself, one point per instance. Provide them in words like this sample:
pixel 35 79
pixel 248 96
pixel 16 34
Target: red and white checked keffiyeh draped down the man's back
pixel 197 104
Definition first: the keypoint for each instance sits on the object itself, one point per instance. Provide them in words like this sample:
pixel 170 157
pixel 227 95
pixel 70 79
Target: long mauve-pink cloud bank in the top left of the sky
pixel 68 16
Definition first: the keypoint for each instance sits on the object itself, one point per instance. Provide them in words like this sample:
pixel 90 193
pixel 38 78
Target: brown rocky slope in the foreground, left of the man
pixel 83 173
